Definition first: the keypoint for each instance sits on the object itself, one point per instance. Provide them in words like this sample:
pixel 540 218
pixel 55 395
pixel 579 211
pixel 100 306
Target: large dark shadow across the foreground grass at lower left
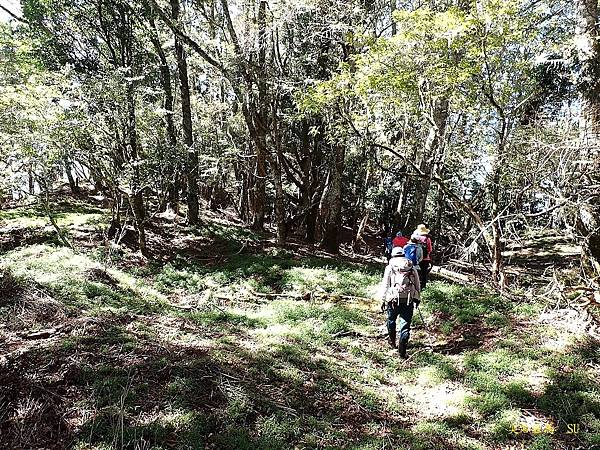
pixel 116 386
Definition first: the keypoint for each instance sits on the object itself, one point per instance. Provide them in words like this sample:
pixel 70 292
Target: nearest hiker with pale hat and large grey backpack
pixel 399 292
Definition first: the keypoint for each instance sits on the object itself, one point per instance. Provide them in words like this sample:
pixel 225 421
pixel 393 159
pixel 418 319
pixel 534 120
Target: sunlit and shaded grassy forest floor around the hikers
pixel 226 341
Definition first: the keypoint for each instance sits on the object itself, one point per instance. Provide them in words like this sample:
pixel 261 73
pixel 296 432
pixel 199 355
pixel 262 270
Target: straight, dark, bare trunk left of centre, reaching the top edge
pixel 191 154
